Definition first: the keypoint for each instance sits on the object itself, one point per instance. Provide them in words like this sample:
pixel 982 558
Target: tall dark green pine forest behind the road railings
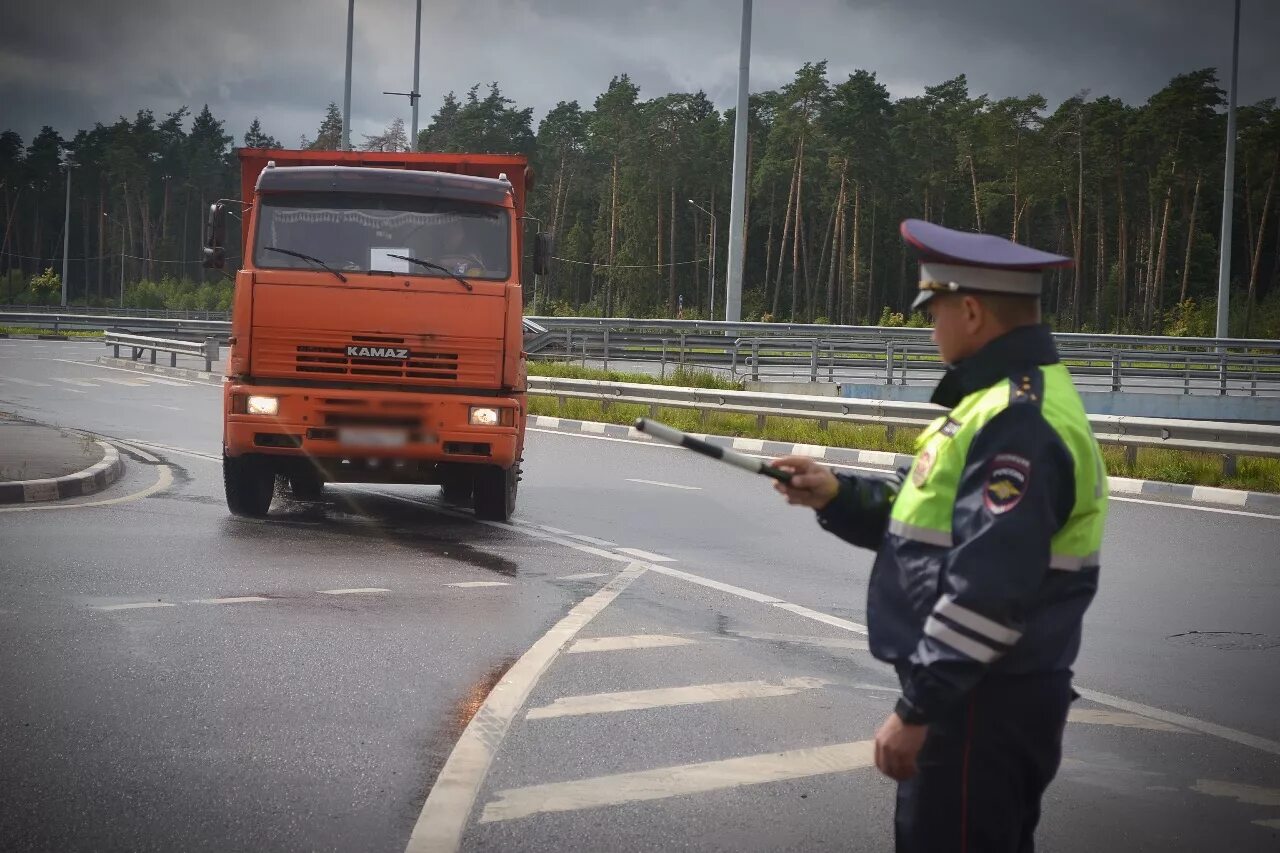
pixel 637 190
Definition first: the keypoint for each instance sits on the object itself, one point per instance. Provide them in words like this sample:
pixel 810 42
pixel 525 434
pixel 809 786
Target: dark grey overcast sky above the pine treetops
pixel 71 63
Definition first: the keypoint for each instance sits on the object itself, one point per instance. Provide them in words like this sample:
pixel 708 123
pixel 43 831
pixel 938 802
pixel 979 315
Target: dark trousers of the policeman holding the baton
pixel 985 767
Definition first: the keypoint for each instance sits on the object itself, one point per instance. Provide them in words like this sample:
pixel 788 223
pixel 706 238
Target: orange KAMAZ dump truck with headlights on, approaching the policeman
pixel 377 327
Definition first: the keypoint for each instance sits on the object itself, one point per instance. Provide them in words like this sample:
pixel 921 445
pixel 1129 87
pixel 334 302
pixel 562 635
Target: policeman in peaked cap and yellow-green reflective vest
pixel 988 554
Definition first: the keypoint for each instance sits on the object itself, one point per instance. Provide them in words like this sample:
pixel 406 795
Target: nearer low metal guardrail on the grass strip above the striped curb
pixel 1132 434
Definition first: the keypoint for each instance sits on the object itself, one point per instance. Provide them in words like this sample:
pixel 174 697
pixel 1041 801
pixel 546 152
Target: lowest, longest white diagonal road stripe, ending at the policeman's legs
pixel 680 781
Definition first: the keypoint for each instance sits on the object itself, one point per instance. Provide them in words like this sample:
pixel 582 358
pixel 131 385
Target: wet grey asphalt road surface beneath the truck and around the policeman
pixel 259 710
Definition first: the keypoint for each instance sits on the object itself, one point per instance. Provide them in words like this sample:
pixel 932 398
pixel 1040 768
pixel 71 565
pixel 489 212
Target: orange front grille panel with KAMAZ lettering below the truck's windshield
pixel 445 362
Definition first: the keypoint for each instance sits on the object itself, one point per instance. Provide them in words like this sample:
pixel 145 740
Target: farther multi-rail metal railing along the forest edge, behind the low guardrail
pixel 766 352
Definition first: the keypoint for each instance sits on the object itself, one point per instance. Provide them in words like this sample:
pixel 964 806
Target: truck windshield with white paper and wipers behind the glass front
pixel 364 234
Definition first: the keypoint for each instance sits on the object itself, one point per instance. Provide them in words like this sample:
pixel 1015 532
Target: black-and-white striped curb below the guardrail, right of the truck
pixel 1121 486
